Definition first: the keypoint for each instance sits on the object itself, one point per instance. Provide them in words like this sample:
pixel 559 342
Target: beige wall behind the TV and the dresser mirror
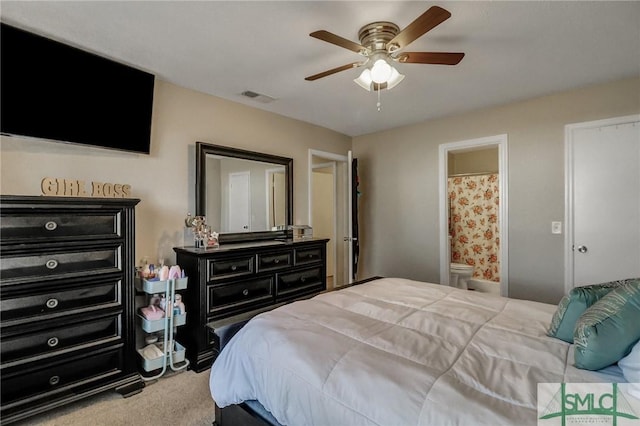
pixel 165 179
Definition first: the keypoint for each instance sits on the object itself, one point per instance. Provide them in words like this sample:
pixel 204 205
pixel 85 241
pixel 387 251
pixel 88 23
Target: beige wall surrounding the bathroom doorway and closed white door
pixel 399 184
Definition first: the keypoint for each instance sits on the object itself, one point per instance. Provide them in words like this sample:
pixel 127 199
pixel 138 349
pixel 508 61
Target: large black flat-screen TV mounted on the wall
pixel 54 91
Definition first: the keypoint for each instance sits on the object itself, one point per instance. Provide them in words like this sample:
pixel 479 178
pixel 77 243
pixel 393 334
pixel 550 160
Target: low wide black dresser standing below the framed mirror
pixel 242 277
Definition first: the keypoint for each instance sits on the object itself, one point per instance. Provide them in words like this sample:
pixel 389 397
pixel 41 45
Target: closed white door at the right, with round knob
pixel 604 187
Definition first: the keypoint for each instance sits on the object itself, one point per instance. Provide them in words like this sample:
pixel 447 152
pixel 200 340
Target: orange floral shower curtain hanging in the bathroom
pixel 473 223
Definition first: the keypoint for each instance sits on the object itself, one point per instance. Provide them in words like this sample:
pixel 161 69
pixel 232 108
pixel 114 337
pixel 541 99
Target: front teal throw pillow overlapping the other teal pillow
pixel 607 331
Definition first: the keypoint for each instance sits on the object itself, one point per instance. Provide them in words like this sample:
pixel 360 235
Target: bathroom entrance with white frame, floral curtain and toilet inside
pixel 473 182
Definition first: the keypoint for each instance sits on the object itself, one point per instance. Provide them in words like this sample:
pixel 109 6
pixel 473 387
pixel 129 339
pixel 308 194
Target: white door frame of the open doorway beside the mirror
pixel 329 156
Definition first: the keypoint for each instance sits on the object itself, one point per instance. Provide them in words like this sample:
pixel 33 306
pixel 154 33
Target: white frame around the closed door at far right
pixel 569 141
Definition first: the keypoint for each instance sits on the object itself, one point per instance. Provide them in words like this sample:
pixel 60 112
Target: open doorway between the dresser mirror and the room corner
pixel 329 211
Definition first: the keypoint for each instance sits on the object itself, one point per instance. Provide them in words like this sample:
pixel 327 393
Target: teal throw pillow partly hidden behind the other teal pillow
pixel 574 304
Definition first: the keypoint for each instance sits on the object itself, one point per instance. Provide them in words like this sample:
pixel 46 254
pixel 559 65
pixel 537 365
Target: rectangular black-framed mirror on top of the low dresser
pixel 244 195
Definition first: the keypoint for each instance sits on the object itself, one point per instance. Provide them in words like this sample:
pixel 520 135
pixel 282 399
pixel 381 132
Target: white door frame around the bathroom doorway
pixel 499 141
